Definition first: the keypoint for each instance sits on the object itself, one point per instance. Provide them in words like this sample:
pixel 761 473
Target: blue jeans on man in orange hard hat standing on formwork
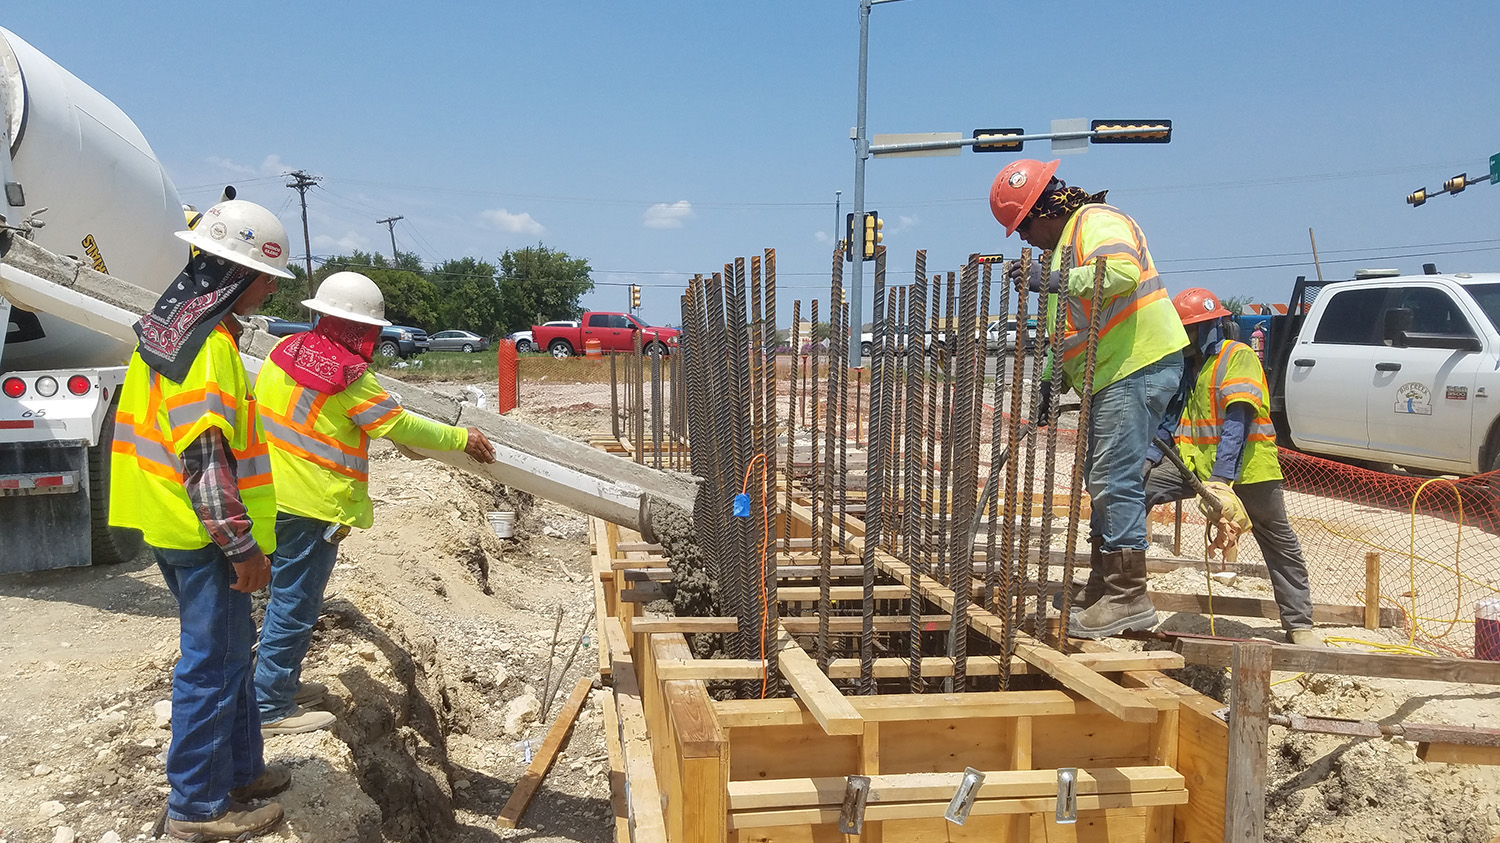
pixel 1124 418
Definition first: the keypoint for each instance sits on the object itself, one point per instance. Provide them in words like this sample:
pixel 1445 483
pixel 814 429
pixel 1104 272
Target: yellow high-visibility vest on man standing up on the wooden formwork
pixel 1139 325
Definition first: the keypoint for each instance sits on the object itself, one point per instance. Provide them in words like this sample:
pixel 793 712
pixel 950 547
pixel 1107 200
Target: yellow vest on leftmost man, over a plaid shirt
pixel 158 419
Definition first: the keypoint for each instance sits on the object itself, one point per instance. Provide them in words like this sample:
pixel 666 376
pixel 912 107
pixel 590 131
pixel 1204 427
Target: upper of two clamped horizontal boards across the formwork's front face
pixel 932 787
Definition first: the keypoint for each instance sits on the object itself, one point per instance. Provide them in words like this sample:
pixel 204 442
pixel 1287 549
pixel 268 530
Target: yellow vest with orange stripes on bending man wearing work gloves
pixel 1232 376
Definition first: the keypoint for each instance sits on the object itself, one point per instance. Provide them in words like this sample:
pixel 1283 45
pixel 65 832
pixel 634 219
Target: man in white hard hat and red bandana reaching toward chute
pixel 320 407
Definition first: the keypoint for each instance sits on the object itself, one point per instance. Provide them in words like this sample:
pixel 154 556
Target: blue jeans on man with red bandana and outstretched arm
pixel 301 571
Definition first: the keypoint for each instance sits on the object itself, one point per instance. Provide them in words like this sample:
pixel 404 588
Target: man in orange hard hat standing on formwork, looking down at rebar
pixel 1138 367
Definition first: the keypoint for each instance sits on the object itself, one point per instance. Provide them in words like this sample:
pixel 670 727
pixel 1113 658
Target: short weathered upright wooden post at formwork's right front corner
pixel 1249 737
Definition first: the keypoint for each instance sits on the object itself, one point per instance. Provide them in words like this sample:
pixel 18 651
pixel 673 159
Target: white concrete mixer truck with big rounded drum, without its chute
pixel 79 181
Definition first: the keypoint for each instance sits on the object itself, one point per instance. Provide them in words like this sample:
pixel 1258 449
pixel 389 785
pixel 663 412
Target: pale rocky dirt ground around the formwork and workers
pixel 437 643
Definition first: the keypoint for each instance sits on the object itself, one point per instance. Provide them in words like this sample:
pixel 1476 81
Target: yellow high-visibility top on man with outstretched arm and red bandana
pixel 320 443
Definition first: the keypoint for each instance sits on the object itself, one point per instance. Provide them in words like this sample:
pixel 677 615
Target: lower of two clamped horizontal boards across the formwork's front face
pixel 932 811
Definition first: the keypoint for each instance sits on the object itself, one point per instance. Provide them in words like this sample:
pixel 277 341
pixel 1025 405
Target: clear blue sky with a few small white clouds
pixel 665 139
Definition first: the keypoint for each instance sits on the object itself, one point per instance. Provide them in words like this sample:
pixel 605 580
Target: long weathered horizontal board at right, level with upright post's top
pixel 1351 664
